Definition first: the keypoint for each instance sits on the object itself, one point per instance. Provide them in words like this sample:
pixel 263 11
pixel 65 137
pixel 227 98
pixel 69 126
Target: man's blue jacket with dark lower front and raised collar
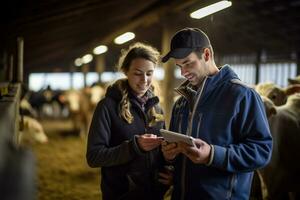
pixel 230 116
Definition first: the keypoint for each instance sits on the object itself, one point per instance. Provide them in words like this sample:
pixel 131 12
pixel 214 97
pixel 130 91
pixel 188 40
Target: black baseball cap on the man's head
pixel 185 41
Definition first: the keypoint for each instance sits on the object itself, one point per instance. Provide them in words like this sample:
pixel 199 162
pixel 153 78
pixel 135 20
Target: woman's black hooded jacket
pixel 127 172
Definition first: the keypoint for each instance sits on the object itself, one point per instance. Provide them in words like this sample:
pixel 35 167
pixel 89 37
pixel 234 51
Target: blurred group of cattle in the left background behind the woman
pixel 78 105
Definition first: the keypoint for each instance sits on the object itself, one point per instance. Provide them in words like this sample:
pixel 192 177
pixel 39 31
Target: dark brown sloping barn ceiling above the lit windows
pixel 56 32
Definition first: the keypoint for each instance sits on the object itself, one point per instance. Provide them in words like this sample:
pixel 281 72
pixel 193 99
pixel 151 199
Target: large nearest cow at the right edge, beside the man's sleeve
pixel 280 175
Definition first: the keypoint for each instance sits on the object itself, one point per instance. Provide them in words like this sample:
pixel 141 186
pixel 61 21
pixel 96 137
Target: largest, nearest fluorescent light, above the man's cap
pixel 203 12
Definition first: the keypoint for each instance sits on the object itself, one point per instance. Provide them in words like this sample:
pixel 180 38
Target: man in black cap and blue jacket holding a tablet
pixel 226 118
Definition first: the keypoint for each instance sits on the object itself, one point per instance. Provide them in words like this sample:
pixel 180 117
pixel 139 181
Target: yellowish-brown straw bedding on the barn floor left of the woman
pixel 62 172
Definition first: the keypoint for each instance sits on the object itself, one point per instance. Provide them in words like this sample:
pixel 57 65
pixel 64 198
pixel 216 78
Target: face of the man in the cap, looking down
pixel 193 68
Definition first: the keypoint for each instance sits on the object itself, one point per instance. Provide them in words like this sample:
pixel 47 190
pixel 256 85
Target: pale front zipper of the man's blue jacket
pixel 189 133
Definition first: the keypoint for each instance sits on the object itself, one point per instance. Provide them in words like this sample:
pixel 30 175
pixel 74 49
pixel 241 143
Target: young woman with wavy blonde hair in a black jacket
pixel 123 138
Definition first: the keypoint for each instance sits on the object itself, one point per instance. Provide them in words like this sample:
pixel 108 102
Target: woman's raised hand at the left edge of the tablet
pixel 147 142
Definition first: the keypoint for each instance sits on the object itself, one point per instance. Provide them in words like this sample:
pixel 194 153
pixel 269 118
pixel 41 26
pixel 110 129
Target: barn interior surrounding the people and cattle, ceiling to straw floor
pixel 41 40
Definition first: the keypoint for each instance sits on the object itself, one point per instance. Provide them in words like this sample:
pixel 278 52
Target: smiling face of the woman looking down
pixel 140 75
